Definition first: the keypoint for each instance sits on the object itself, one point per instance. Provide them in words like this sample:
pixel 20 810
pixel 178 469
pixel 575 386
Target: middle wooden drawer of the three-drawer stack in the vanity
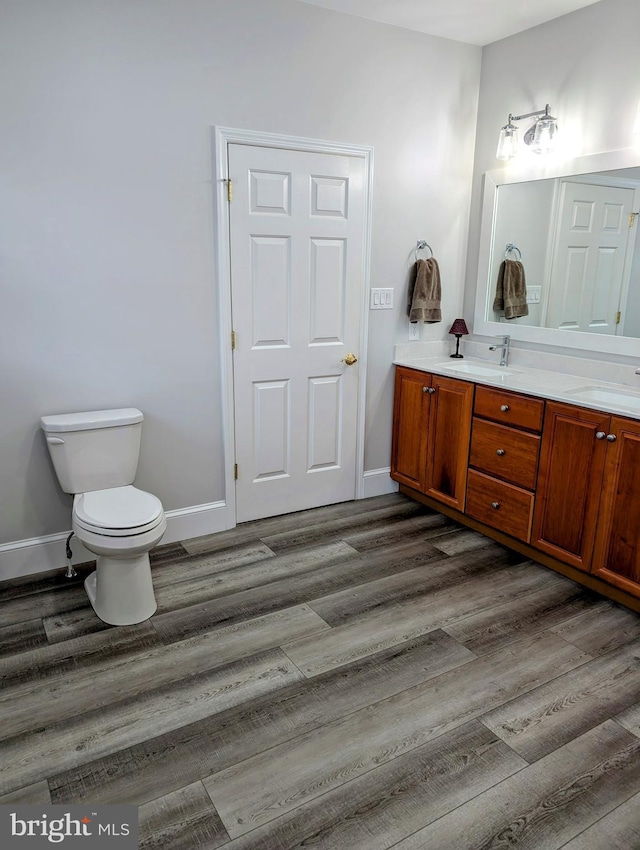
pixel 505 452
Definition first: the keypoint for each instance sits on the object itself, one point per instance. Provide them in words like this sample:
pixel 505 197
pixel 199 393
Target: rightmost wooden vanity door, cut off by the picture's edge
pixel 617 549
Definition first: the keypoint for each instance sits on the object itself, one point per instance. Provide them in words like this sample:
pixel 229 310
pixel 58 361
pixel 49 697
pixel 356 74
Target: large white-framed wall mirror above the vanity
pixel 579 243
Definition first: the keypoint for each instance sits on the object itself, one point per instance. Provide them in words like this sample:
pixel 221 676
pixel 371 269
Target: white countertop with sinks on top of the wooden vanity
pixel 596 395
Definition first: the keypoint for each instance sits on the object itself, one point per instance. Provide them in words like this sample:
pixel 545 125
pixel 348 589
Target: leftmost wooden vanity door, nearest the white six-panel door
pixel 409 442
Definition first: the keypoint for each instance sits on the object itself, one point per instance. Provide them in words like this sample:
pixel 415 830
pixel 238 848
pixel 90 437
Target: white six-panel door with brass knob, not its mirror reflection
pixel 297 275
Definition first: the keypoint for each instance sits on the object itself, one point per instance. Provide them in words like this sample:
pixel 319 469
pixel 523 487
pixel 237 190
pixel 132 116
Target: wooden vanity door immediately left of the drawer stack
pixel 448 440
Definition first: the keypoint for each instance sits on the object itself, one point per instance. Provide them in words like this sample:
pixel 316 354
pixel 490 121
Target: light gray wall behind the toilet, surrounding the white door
pixel 106 236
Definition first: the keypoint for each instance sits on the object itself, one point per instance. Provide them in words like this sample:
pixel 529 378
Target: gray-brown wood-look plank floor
pixel 368 675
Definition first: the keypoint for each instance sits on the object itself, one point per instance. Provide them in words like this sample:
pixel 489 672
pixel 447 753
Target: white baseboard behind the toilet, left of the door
pixel 39 554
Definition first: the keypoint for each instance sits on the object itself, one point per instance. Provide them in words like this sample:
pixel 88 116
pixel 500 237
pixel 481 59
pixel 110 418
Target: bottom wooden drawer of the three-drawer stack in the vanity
pixel 500 505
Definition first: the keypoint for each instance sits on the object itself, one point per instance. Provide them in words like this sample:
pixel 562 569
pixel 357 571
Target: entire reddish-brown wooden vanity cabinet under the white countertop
pixel 557 482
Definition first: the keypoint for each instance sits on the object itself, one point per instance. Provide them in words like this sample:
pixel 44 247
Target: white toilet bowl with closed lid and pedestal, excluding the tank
pixel 120 525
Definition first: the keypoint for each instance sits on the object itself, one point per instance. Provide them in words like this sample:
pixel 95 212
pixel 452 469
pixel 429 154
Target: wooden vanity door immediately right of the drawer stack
pixel 569 483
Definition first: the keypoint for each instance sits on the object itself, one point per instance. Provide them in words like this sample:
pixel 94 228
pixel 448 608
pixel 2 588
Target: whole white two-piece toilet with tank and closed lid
pixel 95 456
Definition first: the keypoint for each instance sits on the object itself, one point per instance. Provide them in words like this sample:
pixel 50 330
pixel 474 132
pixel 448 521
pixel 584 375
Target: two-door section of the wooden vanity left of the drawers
pixel 431 429
